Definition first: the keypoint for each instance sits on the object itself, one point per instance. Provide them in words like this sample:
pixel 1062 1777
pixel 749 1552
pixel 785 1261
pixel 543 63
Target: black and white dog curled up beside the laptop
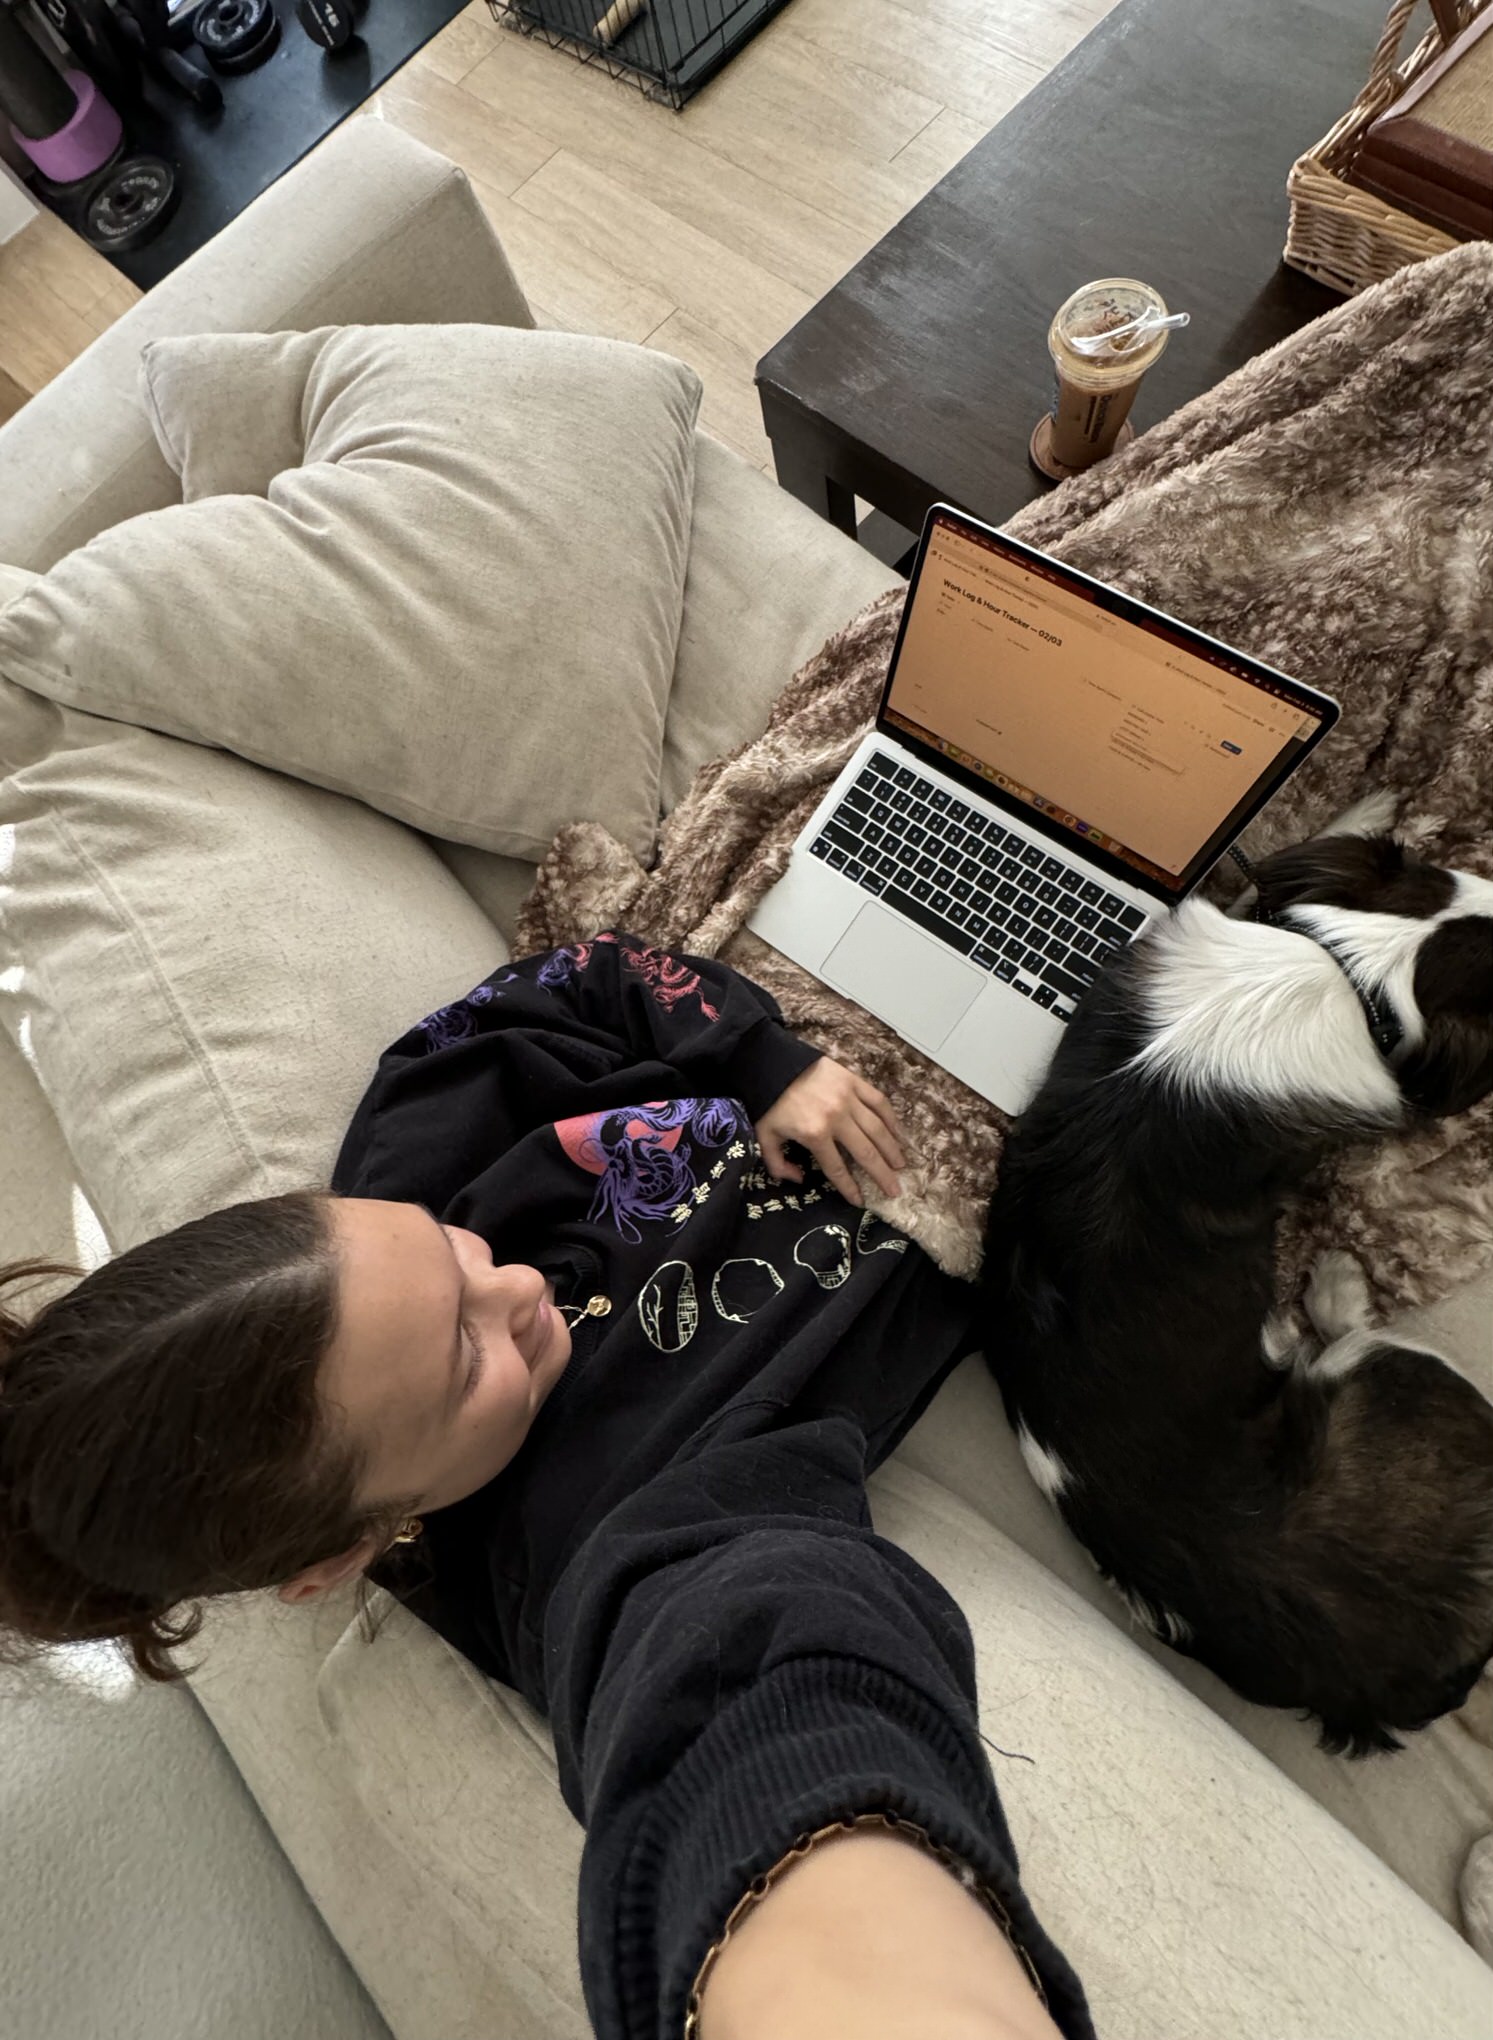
pixel 1310 1519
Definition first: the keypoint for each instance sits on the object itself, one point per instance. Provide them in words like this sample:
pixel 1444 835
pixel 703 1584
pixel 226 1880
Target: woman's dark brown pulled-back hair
pixel 162 1437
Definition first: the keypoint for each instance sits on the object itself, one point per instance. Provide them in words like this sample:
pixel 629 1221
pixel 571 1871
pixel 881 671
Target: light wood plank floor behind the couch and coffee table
pixel 707 234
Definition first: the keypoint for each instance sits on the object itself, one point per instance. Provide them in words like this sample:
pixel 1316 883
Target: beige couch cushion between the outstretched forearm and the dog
pixel 1192 1886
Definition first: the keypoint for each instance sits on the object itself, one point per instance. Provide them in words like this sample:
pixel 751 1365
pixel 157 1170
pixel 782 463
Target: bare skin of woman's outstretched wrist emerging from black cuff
pixel 868 1937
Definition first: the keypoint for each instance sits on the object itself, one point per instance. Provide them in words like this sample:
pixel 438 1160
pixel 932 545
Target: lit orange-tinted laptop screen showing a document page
pixel 1133 735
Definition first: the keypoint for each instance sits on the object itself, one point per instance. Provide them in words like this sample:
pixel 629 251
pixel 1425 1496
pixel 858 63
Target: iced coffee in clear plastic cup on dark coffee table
pixel 1096 382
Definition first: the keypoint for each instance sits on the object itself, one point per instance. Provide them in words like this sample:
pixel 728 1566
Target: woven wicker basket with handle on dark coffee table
pixel 1347 238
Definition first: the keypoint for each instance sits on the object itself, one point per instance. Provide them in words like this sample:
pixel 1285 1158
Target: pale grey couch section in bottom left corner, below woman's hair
pixel 146 1896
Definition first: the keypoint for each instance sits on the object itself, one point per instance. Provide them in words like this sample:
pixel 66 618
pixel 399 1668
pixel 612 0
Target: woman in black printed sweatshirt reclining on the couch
pixel 586 1370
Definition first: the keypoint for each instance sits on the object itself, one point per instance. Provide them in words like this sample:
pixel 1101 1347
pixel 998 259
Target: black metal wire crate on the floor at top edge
pixel 668 48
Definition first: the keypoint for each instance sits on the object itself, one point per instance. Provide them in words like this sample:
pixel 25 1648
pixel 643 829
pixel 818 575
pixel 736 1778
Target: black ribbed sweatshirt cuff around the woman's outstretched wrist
pixel 817 1741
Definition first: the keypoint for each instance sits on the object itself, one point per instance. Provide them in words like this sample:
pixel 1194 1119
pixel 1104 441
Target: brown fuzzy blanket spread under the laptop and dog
pixel 1329 509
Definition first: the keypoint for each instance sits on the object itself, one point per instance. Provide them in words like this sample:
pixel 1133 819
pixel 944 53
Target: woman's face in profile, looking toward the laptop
pixel 442 1358
